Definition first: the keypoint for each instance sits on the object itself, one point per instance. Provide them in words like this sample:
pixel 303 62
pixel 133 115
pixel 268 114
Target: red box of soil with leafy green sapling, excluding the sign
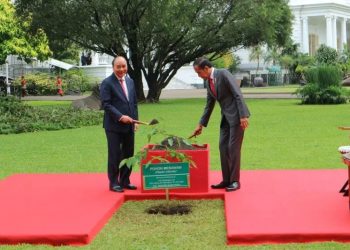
pixel 174 149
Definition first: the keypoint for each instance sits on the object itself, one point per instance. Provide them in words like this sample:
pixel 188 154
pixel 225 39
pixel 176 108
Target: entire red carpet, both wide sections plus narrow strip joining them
pixel 272 206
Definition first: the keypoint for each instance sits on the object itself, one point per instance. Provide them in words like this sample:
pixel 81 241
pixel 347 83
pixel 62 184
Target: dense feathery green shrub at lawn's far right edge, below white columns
pixel 323 86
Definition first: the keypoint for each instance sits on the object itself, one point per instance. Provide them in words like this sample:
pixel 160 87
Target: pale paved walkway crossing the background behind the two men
pixel 169 94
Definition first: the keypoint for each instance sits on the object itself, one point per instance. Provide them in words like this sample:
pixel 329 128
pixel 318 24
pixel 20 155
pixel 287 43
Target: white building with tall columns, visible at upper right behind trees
pixel 315 22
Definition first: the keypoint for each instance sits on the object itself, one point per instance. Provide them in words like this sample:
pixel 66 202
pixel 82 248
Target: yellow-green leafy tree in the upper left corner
pixel 16 39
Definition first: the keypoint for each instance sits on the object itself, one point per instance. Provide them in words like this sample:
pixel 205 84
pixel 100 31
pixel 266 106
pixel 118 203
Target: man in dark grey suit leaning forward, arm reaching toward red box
pixel 222 87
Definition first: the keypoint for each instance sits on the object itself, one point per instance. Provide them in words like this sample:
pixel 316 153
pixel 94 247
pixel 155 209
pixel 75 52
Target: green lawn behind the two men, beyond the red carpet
pixel 282 135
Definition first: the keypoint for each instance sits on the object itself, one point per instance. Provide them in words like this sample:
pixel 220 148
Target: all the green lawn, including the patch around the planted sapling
pixel 282 135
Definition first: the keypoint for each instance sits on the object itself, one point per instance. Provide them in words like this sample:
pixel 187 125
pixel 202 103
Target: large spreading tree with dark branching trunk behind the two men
pixel 160 36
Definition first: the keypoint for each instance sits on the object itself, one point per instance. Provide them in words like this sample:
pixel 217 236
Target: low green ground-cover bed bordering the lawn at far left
pixel 16 117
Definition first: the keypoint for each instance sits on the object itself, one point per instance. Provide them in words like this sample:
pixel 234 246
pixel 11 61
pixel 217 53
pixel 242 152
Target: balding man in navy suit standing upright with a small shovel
pixel 118 98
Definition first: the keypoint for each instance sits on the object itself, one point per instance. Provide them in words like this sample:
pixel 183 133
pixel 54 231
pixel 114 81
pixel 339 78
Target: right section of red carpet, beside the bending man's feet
pixel 288 206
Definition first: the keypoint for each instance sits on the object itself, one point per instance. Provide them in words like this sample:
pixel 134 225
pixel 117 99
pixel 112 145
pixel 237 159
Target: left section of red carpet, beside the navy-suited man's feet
pixel 55 208
